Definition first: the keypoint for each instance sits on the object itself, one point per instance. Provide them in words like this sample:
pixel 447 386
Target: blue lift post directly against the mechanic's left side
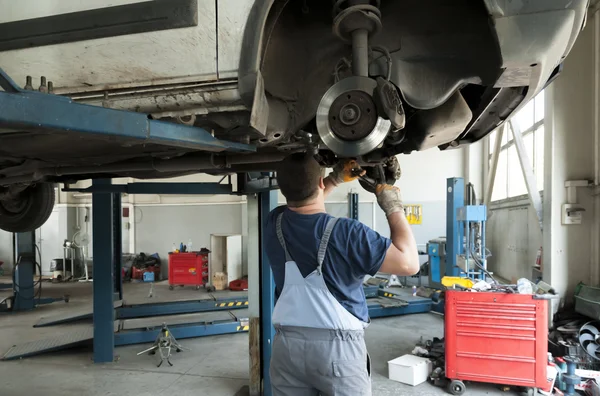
pixel 267 201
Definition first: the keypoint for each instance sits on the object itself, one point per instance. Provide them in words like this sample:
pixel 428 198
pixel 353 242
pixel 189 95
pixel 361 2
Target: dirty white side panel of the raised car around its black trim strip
pixel 142 59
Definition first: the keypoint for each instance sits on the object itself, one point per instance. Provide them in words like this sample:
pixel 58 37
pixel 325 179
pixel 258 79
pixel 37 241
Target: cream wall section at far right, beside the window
pixel 571 153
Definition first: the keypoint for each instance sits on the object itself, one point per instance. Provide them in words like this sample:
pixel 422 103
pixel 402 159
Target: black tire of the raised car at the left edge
pixel 29 211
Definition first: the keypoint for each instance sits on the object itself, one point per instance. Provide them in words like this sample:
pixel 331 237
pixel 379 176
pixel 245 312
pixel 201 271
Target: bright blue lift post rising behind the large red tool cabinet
pixel 455 198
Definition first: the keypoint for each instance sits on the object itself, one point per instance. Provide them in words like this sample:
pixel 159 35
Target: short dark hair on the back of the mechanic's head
pixel 298 177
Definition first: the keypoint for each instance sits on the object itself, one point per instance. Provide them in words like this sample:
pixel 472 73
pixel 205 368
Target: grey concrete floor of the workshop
pixel 217 364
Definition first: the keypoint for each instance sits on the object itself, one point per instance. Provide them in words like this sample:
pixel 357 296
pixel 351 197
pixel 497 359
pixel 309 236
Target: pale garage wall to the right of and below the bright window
pixel 571 149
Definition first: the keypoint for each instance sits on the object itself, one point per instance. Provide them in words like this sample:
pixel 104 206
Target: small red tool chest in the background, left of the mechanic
pixel 188 269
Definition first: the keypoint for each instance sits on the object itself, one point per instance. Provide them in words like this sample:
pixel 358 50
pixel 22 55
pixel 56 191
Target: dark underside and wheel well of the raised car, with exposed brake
pixel 364 79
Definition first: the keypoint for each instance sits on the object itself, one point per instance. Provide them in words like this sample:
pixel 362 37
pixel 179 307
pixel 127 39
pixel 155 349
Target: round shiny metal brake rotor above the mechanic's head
pixel 347 118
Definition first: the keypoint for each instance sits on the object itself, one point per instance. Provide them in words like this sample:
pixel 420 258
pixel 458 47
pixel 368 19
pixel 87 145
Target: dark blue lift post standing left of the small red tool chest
pixel 104 283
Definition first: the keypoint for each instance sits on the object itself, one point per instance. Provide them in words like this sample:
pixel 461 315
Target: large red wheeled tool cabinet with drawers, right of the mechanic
pixel 496 338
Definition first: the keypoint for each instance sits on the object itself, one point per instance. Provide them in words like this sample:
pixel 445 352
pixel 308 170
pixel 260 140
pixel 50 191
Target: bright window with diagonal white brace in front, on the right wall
pixel 509 181
